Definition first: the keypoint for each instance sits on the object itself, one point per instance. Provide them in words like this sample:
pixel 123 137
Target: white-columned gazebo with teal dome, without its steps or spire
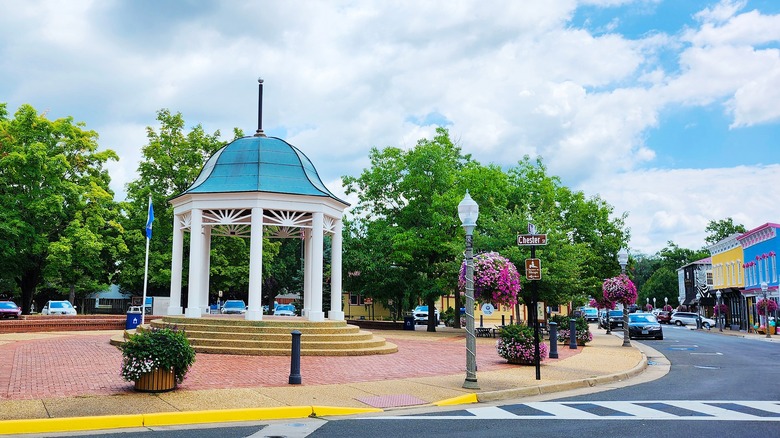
pixel 257 187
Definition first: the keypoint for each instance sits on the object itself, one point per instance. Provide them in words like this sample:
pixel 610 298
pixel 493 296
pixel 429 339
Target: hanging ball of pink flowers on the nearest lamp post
pixel 496 279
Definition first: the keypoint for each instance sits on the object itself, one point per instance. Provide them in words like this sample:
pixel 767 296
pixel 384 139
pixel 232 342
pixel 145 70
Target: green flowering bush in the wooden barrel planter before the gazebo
pixel 156 349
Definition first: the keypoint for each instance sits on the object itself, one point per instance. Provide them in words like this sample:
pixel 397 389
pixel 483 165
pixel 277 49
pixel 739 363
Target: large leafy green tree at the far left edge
pixel 57 216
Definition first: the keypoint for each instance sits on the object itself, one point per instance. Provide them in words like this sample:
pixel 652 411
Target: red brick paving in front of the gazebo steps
pixel 78 364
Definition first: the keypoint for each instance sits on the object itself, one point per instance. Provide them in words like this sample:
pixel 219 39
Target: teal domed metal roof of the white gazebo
pixel 260 164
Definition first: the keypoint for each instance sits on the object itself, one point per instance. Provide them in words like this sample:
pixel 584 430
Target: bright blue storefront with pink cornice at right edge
pixel 760 246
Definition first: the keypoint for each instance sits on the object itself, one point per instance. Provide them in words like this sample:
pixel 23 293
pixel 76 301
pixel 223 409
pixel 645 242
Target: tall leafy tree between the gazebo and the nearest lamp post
pixel 409 199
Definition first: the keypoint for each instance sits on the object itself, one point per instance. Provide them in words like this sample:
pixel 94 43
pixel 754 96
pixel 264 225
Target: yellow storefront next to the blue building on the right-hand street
pixel 728 277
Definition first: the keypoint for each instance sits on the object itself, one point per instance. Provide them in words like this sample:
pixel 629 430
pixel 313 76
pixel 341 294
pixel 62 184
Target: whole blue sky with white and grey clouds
pixel 667 109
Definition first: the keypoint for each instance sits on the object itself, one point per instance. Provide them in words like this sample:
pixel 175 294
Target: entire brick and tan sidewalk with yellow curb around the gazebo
pixel 50 381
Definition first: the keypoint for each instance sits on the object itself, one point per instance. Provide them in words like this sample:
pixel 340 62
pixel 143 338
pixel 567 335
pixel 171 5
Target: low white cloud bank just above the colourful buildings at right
pixel 677 204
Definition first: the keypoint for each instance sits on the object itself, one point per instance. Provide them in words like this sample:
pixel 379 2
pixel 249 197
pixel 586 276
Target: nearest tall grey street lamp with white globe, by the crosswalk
pixel 468 211
